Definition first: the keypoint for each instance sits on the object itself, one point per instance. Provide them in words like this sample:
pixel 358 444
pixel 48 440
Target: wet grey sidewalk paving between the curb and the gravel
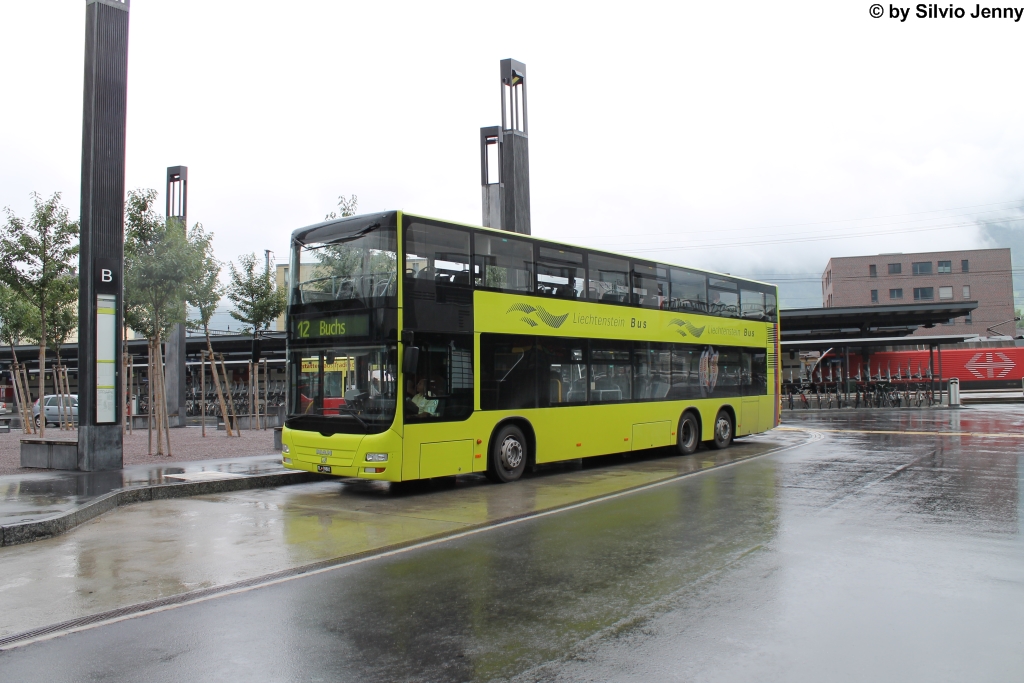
pixel 47 493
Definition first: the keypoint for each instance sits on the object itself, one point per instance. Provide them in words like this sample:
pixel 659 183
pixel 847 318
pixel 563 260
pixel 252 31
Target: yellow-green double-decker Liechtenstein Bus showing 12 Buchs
pixel 420 349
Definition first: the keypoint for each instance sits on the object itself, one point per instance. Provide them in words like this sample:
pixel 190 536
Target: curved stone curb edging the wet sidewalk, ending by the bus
pixel 37 530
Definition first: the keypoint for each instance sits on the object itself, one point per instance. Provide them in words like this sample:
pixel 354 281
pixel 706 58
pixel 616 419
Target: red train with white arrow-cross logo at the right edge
pixel 987 368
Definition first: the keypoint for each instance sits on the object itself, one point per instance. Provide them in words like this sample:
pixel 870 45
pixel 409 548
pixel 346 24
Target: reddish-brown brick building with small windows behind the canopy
pixel 980 275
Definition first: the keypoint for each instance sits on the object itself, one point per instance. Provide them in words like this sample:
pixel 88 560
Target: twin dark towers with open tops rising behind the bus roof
pixel 506 203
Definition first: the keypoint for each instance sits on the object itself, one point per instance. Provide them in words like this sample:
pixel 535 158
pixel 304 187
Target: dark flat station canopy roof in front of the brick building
pixel 870 323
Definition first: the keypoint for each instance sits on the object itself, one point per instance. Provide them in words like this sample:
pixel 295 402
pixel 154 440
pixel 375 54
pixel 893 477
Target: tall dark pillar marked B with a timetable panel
pixel 102 244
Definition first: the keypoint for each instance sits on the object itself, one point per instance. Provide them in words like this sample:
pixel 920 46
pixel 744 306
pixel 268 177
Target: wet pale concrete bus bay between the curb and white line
pixel 161 548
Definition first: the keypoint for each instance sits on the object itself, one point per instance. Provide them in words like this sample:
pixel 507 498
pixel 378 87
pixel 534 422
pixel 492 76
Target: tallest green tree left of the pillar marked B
pixel 36 259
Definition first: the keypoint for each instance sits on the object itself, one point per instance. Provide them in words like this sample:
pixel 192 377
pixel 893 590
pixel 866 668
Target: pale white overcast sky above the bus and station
pixel 756 139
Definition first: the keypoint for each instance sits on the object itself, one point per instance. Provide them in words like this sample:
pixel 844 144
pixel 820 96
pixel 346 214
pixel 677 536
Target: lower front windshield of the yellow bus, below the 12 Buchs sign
pixel 344 390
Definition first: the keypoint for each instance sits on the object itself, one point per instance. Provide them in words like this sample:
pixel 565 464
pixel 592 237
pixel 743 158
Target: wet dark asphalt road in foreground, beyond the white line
pixel 881 551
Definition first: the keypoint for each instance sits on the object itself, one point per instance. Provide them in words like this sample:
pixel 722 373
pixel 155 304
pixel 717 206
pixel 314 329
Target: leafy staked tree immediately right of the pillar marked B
pixel 160 262
